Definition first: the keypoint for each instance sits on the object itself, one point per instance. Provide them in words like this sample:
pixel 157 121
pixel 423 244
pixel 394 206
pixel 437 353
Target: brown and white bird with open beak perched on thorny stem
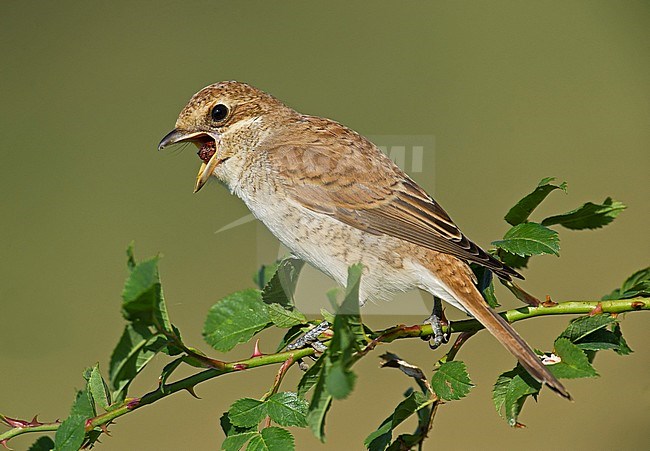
pixel 334 200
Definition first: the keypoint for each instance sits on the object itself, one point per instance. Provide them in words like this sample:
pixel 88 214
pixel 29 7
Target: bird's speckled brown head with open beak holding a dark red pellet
pixel 224 120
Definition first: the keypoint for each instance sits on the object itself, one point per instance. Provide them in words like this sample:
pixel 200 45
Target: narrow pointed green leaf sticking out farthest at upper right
pixel 588 216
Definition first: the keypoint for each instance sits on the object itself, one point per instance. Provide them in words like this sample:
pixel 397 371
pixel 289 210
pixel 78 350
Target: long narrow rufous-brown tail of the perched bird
pixel 512 341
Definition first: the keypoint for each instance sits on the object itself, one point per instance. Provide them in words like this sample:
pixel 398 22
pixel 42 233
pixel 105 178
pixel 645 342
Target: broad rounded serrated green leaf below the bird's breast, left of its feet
pixel 235 319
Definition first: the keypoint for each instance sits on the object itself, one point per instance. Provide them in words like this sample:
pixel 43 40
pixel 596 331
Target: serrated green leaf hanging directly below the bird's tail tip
pixel 511 391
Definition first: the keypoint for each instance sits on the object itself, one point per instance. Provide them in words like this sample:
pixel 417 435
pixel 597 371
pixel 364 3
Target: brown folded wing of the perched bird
pixel 341 174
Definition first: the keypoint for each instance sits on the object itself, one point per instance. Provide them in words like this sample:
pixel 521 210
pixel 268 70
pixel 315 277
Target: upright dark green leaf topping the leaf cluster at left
pixel 142 296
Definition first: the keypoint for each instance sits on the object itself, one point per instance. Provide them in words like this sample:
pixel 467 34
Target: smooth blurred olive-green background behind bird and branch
pixel 511 91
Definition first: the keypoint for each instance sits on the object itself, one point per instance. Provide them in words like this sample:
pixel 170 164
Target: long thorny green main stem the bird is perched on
pixel 383 336
